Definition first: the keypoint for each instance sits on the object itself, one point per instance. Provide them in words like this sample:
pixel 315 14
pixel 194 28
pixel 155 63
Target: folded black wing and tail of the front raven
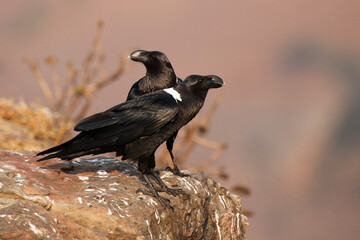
pixel 119 125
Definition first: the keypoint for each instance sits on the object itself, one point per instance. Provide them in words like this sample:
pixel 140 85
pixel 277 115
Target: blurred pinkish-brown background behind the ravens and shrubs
pixel 291 104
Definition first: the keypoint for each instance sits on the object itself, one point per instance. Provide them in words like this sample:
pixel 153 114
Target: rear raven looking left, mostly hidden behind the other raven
pixel 159 75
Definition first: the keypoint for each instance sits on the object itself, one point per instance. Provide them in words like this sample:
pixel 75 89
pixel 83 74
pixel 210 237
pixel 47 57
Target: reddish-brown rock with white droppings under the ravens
pixel 95 198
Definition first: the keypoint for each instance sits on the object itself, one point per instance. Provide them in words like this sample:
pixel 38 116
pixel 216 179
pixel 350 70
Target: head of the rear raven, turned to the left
pixel 151 59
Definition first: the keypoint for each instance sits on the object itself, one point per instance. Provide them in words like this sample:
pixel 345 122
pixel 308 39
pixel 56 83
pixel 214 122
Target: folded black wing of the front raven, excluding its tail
pixel 133 119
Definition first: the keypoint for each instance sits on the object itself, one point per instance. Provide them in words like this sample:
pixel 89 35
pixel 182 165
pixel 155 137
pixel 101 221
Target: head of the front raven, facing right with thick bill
pixel 203 83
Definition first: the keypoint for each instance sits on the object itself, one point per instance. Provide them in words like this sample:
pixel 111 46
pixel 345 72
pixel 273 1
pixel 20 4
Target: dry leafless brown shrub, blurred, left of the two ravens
pixel 72 97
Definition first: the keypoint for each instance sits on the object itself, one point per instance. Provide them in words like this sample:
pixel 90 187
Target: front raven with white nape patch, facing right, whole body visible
pixel 136 128
